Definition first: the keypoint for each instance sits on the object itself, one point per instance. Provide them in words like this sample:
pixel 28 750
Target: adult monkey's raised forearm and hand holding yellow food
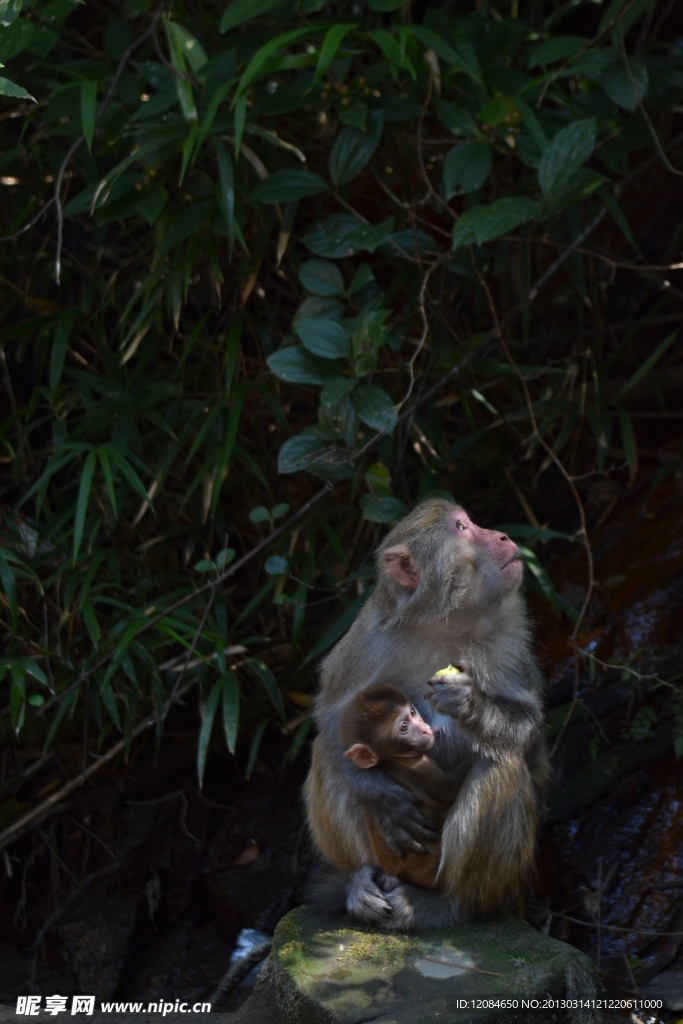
pixel 495 723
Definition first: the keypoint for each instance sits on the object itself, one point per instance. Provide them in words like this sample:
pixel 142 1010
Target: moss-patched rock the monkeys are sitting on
pixel 330 971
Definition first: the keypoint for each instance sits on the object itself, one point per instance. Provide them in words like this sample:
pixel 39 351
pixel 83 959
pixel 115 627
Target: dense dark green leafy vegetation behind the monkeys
pixel 275 272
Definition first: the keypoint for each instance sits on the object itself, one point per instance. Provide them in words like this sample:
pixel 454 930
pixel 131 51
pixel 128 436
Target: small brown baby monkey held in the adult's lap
pixel 380 729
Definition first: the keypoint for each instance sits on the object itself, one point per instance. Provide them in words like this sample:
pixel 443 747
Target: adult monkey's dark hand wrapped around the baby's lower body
pixel 397 818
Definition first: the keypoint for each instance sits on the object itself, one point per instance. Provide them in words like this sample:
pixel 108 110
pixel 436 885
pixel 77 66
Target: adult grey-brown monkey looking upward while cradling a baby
pixel 448 593
